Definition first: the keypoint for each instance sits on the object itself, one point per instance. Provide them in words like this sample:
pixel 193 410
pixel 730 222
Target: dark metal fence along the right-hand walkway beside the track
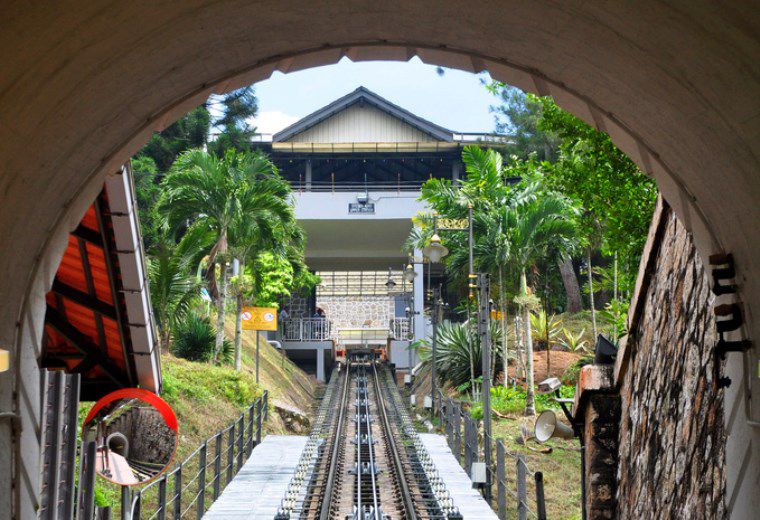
pixel 512 493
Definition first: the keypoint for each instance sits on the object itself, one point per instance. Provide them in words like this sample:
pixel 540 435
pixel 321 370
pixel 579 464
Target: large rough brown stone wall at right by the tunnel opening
pixel 672 443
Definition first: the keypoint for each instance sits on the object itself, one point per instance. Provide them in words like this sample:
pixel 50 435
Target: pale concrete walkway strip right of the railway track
pixel 468 500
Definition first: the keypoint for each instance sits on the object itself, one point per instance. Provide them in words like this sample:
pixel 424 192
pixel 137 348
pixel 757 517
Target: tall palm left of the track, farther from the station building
pixel 204 189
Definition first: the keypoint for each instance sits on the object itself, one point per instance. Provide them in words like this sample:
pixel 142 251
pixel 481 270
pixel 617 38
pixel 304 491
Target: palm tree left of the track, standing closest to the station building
pixel 265 222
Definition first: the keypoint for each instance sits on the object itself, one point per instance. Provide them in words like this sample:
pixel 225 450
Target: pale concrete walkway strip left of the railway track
pixel 256 491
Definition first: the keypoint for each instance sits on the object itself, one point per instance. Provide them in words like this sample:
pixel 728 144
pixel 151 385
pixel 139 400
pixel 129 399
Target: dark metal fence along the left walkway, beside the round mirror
pixel 193 485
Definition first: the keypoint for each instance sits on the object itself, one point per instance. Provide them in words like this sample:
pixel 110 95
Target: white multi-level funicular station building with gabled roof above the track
pixel 356 167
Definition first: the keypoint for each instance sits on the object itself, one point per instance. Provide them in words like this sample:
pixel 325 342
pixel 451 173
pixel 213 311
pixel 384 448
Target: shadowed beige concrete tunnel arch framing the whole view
pixel 95 82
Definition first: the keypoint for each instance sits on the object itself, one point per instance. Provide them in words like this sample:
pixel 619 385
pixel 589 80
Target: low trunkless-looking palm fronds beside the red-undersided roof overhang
pixel 173 287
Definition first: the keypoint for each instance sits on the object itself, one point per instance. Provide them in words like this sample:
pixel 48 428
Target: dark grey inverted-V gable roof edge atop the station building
pixel 363 95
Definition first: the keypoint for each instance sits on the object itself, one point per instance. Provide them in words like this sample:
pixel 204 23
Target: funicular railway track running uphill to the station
pixel 364 460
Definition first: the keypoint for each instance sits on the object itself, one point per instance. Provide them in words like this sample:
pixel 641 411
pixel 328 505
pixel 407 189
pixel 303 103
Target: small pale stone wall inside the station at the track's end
pixel 354 311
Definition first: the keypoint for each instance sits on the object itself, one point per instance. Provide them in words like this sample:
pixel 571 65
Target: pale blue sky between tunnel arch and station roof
pixel 456 100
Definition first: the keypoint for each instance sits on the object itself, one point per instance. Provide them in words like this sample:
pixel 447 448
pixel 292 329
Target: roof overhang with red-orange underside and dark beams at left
pixel 98 321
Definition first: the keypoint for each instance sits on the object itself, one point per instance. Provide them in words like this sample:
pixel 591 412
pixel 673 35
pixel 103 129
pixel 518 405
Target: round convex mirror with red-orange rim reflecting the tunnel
pixel 135 436
